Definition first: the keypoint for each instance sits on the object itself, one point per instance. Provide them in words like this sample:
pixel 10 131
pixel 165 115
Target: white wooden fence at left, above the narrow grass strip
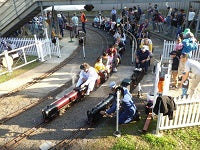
pixel 27 47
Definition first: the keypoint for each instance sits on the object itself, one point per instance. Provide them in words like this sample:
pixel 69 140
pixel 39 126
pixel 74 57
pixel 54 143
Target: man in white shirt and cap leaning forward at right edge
pixel 192 67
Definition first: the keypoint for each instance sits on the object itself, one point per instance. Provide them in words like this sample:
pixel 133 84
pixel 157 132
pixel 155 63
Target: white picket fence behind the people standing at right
pixel 170 45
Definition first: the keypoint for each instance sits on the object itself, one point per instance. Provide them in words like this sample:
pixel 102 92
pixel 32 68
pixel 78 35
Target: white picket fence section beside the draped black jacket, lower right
pixel 187 114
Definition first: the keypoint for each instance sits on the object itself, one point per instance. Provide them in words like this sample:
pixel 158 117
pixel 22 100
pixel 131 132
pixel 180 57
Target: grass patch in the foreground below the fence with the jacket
pixel 131 139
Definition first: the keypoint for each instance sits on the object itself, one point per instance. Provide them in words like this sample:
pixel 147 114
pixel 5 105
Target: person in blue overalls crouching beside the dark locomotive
pixel 128 111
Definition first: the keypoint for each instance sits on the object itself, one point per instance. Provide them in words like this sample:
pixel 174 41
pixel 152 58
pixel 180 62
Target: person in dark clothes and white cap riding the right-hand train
pixel 142 58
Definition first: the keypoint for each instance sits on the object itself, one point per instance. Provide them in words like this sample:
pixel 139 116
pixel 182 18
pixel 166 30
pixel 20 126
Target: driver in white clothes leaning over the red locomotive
pixel 87 77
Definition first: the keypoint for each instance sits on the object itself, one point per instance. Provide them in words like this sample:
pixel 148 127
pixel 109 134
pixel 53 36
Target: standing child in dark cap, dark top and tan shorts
pixel 175 64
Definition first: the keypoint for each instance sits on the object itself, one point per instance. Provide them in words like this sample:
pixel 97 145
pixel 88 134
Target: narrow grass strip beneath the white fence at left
pixel 17 72
